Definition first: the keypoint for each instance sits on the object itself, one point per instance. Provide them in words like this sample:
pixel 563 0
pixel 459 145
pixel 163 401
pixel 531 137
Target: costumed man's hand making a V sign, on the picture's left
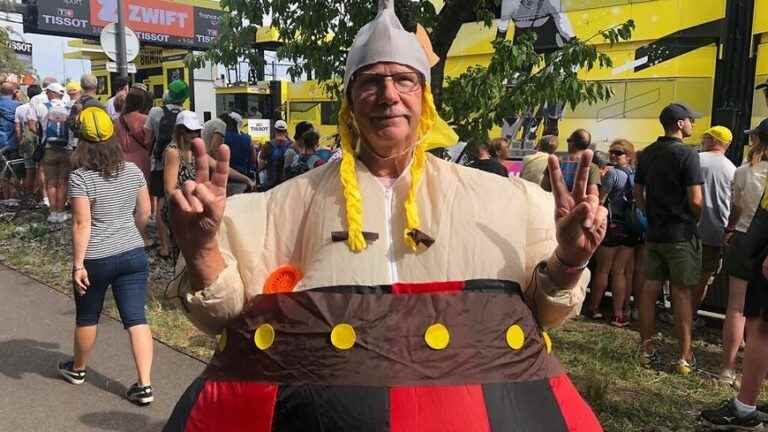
pixel 197 207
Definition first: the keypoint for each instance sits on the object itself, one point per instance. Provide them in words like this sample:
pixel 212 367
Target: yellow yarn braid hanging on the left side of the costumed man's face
pixel 354 201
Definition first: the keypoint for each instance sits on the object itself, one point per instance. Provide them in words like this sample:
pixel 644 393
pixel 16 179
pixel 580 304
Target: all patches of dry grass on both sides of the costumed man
pixel 602 360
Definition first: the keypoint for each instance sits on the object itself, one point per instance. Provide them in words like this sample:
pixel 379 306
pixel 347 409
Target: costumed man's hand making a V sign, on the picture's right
pixel 580 220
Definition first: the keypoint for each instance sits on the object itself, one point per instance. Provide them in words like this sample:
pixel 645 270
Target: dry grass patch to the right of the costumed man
pixel 603 362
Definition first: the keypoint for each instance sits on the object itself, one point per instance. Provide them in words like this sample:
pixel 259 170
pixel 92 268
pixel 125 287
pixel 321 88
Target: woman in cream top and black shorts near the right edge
pixel 748 185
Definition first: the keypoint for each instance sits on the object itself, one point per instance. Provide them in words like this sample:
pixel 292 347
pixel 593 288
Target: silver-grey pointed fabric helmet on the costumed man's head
pixel 385 40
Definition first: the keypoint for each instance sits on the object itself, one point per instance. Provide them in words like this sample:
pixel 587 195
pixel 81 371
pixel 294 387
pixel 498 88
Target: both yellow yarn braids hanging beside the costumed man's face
pixel 348 174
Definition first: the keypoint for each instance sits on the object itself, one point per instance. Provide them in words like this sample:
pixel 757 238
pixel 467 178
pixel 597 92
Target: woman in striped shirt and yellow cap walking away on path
pixel 110 207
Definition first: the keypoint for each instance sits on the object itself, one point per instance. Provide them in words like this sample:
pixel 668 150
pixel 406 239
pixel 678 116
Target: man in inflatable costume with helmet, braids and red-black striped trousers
pixel 388 291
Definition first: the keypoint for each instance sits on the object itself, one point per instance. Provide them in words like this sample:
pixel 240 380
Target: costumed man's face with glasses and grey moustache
pixel 386 102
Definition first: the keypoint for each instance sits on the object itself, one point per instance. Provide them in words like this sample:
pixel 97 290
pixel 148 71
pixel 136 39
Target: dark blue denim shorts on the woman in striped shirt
pixel 127 274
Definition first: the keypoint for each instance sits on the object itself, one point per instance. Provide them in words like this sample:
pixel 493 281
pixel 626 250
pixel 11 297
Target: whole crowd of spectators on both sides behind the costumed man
pixel 676 216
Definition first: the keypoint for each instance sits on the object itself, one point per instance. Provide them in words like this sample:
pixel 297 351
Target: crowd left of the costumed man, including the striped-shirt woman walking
pixel 109 168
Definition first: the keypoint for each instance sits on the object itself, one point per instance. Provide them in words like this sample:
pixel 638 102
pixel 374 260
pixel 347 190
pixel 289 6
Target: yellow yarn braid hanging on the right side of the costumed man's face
pixel 428 119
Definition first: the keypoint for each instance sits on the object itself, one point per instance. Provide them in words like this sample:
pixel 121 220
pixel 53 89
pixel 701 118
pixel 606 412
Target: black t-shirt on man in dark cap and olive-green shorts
pixel 667 168
